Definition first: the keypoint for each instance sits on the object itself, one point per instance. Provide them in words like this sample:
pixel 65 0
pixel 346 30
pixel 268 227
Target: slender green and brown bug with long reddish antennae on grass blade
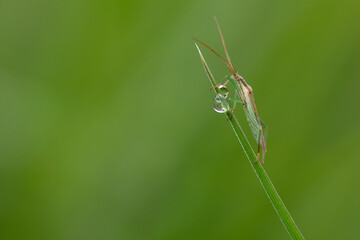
pixel 243 94
